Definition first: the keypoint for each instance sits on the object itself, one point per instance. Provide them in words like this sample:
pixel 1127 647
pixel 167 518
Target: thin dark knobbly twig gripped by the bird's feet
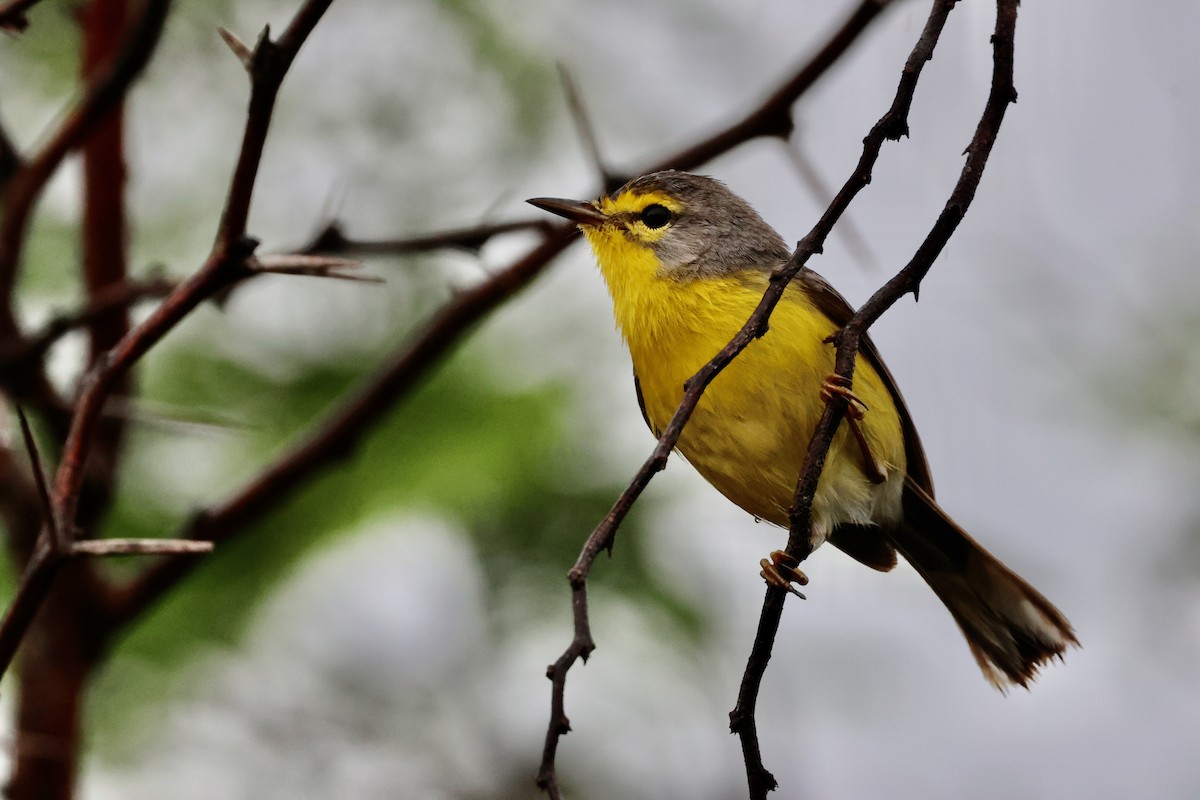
pixel 849 340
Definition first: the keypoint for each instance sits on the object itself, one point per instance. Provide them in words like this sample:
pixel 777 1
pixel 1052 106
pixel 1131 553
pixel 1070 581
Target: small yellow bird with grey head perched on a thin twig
pixel 687 262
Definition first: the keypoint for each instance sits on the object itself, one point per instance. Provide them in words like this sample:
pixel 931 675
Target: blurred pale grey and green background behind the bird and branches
pixel 387 634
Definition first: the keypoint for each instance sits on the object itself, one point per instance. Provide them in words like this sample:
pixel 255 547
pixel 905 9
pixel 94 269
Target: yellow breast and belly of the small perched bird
pixel 752 429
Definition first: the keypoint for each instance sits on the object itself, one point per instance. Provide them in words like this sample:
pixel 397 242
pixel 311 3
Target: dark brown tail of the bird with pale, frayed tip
pixel 1011 628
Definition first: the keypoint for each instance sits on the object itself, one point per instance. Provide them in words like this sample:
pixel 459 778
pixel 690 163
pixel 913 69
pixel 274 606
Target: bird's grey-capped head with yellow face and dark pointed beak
pixel 695 225
